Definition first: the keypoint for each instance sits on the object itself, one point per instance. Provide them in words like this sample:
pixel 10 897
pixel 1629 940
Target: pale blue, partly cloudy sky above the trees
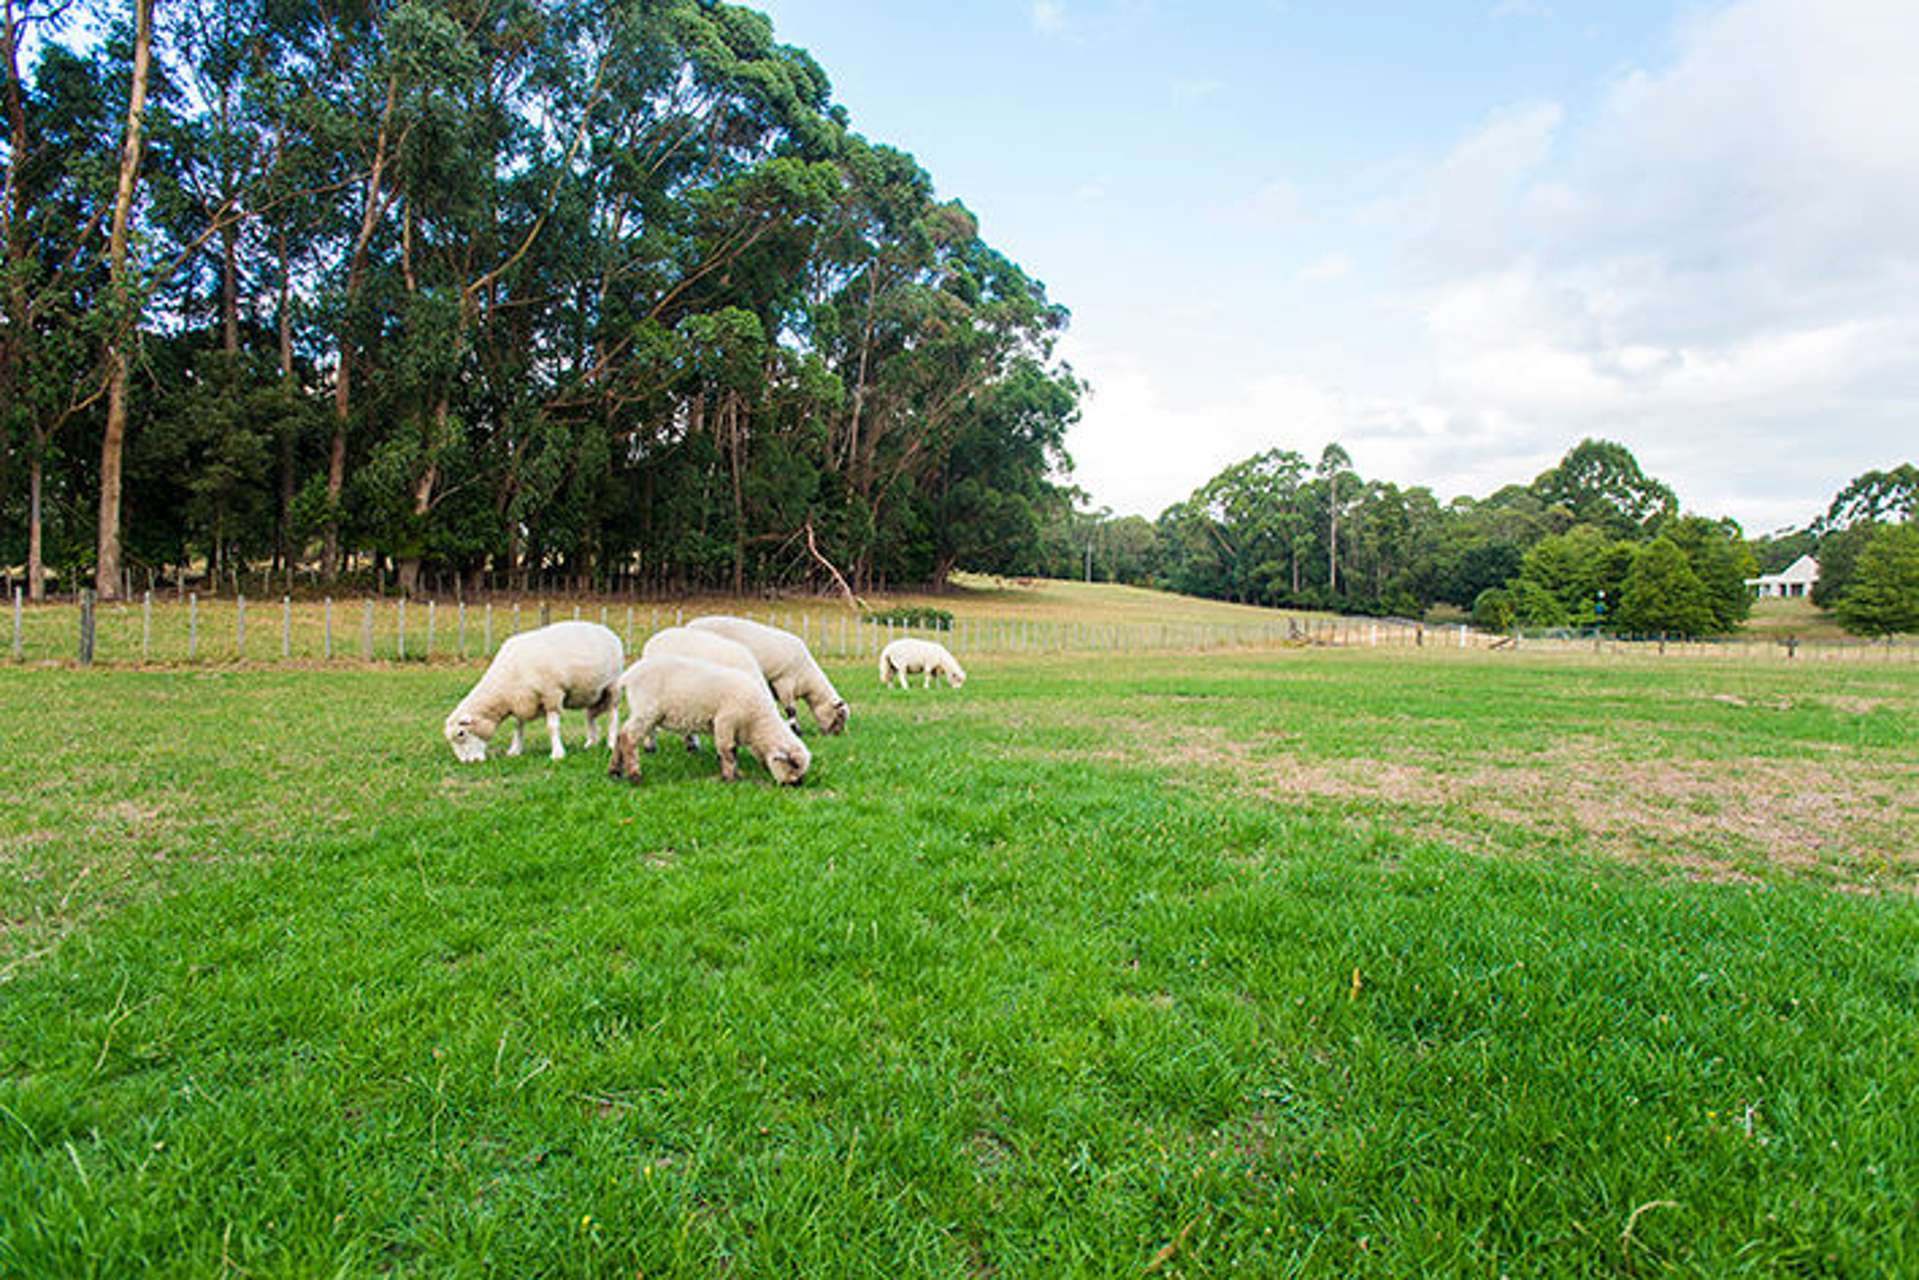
pixel 1456 237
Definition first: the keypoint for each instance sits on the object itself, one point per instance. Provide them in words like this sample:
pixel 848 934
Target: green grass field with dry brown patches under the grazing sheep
pixel 1310 962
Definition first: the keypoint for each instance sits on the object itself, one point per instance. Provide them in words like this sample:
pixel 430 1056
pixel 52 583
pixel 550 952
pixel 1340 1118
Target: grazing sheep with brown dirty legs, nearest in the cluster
pixel 690 696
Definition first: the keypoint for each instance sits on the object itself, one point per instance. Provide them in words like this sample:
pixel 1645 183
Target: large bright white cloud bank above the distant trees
pixel 1715 264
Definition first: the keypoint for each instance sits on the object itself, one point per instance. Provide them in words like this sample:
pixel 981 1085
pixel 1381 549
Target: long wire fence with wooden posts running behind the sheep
pixel 166 630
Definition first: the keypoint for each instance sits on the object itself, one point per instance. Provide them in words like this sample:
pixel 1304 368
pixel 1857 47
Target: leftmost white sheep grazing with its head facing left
pixel 540 673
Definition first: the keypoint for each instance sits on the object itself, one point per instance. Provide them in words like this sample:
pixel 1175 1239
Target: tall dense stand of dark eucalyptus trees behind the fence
pixel 496 289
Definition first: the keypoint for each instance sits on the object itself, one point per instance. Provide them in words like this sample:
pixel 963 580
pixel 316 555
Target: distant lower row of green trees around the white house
pixel 1590 542
